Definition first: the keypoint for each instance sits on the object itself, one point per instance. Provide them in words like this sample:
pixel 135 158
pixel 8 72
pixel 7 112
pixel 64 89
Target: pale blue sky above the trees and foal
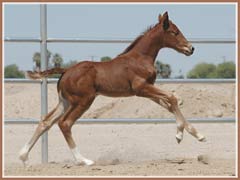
pixel 119 21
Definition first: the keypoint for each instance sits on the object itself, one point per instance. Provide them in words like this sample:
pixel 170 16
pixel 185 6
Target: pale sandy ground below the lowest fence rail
pixel 126 150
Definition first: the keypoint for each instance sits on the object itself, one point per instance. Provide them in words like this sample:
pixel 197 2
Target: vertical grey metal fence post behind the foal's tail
pixel 44 105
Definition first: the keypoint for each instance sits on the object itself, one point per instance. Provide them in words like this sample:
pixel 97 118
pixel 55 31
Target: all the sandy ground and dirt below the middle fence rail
pixel 127 149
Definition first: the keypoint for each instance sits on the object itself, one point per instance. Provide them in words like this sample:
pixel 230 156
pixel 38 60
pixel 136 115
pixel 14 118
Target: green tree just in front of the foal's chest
pixel 163 70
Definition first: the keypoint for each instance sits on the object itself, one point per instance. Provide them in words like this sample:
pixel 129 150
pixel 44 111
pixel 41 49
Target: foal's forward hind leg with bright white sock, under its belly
pixel 65 124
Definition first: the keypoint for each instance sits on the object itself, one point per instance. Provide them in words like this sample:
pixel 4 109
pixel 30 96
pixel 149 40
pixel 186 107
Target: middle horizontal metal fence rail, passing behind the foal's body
pixel 53 80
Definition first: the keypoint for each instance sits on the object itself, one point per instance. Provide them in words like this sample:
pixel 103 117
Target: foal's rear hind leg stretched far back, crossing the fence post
pixel 43 126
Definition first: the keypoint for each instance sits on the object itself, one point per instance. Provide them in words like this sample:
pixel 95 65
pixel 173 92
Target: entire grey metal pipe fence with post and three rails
pixel 44 40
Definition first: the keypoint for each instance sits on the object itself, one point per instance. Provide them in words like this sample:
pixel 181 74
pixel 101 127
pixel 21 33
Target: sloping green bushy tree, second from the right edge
pixel 203 70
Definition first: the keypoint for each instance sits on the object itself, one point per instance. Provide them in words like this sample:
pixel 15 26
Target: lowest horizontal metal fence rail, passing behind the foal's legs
pixel 132 120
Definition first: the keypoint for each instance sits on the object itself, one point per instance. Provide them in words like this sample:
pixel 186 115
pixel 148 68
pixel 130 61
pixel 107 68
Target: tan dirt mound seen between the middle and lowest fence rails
pixel 197 100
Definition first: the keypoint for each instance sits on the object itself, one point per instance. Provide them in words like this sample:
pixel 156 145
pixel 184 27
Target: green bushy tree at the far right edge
pixel 226 70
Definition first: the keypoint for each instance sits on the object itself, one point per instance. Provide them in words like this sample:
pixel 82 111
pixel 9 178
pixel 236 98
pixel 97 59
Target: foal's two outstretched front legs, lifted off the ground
pixel 169 101
